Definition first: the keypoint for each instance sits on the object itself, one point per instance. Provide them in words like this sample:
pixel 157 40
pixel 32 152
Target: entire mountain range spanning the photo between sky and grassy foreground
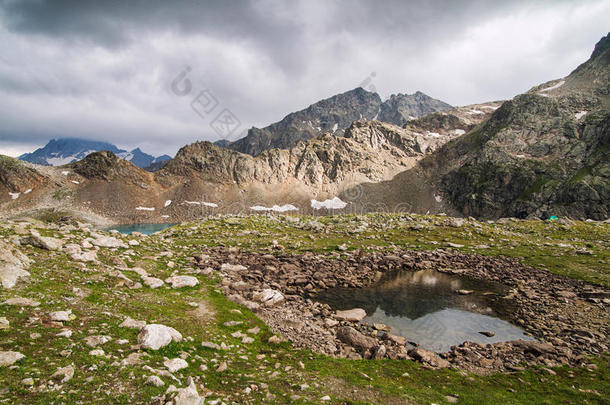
pixel 543 153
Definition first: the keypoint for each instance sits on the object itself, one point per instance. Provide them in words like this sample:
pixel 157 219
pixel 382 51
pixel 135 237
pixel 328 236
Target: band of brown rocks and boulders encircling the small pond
pixel 569 318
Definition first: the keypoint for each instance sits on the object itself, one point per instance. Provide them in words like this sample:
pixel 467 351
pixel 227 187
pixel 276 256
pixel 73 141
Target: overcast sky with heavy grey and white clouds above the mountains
pixel 103 70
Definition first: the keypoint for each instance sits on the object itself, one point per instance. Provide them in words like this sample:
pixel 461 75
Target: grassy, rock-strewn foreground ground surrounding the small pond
pixel 221 311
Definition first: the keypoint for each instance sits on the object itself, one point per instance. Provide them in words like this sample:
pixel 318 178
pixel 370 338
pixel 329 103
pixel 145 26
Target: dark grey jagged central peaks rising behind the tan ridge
pixel 334 115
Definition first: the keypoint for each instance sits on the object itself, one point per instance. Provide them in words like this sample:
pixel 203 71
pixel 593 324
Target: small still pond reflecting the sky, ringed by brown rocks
pixel 425 307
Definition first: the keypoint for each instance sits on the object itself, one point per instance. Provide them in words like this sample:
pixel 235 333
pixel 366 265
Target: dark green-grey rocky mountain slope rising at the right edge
pixel 546 152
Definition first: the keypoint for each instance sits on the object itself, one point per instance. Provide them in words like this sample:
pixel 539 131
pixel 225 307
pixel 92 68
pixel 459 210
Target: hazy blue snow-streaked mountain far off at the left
pixel 63 151
